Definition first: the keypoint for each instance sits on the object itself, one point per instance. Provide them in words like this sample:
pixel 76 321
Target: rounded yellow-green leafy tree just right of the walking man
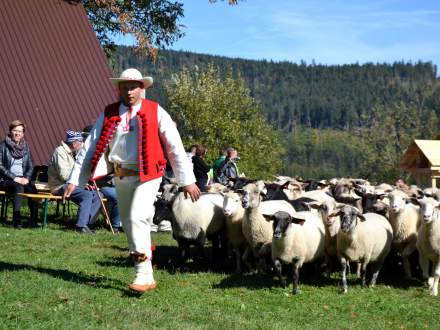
pixel 219 112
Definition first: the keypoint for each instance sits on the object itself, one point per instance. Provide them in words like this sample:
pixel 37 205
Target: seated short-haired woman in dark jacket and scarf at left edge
pixel 16 168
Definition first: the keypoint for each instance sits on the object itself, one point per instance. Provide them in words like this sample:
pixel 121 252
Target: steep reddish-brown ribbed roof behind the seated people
pixel 53 72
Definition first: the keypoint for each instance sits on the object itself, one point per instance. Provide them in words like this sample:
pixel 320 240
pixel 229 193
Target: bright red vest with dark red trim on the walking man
pixel 151 156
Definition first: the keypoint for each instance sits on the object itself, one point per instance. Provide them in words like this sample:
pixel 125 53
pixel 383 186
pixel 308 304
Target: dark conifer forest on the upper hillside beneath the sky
pixel 314 96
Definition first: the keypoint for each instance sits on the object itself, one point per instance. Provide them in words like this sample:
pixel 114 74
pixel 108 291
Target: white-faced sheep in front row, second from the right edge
pixel 404 218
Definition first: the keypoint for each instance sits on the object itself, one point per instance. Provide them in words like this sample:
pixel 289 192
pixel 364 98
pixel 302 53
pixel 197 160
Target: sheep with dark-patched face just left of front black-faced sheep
pixel 257 231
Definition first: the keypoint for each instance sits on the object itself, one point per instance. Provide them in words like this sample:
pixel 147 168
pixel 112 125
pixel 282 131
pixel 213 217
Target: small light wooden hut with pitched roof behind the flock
pixel 422 160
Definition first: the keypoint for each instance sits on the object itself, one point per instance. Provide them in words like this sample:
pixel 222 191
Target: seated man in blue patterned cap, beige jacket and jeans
pixel 60 166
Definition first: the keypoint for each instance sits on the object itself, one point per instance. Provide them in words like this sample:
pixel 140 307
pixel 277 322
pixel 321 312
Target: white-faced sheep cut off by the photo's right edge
pixel 428 242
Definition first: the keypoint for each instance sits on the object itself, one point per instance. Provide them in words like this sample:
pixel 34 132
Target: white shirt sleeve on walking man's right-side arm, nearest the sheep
pixel 173 147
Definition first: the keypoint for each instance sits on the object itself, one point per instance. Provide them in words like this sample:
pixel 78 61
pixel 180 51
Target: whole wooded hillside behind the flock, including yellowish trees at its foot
pixel 348 120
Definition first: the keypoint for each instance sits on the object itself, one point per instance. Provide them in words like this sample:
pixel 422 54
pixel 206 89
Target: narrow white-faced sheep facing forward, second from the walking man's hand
pixel 234 213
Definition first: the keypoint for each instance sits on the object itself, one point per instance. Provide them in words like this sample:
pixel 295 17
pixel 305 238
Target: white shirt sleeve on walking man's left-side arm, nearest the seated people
pixel 82 169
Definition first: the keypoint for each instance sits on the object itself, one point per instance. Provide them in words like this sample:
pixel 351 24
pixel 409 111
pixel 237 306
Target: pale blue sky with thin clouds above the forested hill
pixel 327 31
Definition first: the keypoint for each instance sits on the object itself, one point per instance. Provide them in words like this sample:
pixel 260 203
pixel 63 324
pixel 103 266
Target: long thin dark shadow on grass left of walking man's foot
pixel 98 282
